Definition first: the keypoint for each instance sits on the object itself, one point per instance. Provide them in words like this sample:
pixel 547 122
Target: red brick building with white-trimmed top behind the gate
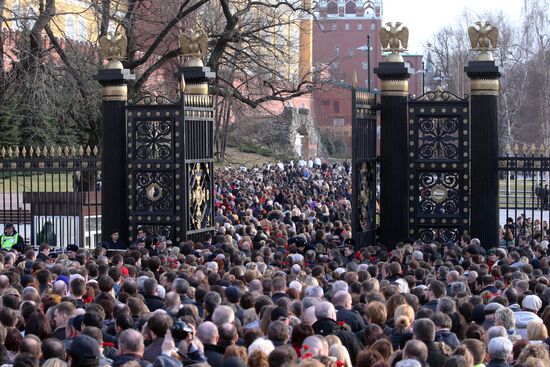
pixel 339 38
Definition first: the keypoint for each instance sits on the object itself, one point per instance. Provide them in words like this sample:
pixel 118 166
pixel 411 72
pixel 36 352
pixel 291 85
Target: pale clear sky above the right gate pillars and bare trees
pixel 426 17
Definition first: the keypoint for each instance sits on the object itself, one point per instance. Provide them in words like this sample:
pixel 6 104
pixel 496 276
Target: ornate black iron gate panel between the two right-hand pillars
pixel 439 173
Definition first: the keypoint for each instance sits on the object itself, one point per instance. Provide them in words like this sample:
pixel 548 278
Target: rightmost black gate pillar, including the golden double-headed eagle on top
pixel 484 77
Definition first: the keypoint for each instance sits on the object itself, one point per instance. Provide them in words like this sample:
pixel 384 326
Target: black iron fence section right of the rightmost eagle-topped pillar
pixel 524 178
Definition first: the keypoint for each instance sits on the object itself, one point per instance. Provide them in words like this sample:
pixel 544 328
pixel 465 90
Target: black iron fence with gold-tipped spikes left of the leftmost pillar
pixel 52 195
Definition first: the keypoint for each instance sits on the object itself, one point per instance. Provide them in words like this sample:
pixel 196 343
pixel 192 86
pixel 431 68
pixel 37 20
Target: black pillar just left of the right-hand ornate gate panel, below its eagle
pixel 394 74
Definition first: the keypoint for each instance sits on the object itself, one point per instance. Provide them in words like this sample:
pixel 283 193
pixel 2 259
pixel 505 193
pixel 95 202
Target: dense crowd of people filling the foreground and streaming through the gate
pixel 280 282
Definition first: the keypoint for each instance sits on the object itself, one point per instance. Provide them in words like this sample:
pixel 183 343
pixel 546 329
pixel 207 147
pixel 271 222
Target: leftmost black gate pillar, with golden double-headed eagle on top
pixel 114 80
